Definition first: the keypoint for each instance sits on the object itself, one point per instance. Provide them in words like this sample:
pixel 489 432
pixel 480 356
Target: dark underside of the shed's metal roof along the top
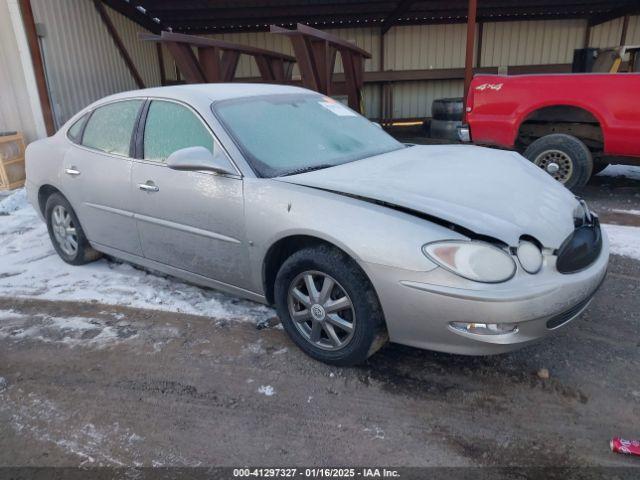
pixel 213 16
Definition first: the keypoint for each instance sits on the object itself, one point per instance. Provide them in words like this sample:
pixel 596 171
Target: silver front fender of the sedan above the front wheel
pixel 369 233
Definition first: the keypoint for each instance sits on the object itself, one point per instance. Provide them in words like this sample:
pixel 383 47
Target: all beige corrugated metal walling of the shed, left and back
pixel 83 63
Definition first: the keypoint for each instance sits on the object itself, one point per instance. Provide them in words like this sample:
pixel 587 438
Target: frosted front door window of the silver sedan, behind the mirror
pixel 171 127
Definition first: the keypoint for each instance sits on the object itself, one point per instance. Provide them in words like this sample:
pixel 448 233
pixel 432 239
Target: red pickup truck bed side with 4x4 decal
pixel 498 105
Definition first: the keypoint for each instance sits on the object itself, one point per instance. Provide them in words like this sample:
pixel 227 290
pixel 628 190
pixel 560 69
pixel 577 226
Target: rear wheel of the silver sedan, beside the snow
pixel 58 213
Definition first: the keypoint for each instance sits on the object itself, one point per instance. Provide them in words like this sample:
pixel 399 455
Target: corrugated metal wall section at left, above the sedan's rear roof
pixel 81 61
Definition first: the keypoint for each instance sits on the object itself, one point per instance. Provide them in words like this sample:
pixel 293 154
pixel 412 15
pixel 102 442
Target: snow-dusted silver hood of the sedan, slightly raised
pixel 491 192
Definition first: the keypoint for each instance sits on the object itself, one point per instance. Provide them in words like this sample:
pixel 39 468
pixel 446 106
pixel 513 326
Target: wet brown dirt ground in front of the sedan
pixel 89 384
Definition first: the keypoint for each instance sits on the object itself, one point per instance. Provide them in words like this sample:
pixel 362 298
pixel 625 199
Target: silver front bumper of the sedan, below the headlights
pixel 423 309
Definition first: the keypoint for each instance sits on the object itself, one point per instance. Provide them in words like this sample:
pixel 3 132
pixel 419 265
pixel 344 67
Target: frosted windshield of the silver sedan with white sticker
pixel 288 134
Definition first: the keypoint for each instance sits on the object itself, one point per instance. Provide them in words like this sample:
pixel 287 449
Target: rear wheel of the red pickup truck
pixel 564 157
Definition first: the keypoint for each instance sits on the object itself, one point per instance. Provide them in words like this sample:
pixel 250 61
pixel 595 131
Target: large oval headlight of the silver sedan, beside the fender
pixel 473 260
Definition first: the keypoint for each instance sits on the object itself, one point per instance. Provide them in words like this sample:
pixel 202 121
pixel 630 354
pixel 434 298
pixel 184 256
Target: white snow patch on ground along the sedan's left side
pixel 31 268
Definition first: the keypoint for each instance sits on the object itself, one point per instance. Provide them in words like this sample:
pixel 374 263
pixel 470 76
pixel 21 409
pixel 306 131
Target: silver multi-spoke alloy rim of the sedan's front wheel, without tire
pixel 321 310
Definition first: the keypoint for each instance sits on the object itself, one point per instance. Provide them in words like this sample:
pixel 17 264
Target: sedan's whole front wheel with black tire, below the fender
pixel 364 313
